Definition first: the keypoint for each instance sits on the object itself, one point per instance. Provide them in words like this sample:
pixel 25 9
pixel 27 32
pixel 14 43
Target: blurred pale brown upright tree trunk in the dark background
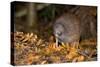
pixel 32 15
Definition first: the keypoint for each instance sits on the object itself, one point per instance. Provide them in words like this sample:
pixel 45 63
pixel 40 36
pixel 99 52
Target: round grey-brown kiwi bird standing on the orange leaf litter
pixel 67 28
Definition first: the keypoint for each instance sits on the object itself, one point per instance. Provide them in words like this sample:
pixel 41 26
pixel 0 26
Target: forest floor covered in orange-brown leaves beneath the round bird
pixel 30 49
